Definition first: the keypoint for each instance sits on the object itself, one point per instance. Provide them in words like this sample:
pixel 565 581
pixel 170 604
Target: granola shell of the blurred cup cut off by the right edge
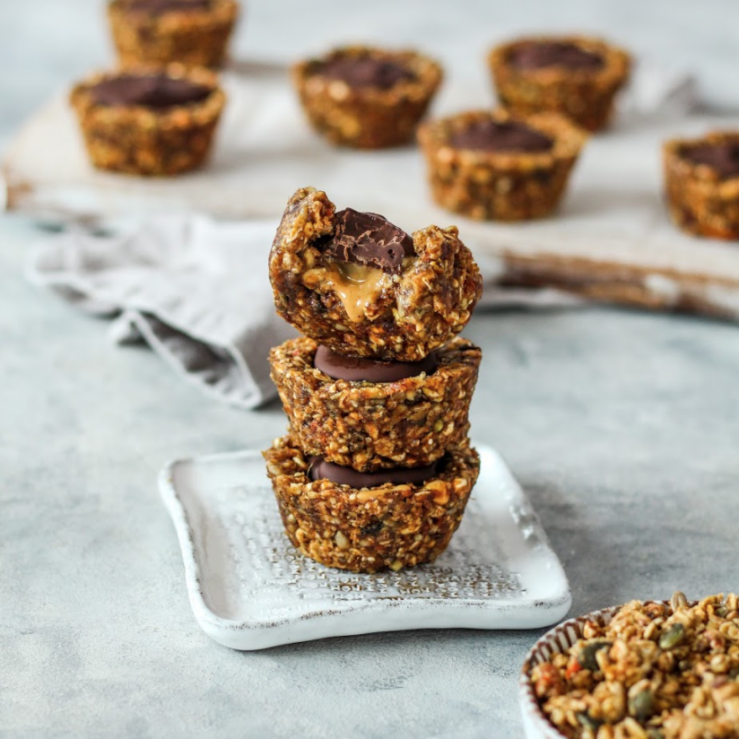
pixel 699 200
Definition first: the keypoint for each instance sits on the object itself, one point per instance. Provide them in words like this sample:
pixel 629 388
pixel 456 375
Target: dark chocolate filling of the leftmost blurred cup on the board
pixel 157 91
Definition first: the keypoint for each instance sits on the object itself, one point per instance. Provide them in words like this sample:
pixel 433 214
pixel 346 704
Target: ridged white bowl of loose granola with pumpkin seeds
pixel 644 670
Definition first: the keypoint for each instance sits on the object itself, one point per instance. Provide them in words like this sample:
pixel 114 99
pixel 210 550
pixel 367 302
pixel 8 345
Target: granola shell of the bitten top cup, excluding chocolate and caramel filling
pixel 414 312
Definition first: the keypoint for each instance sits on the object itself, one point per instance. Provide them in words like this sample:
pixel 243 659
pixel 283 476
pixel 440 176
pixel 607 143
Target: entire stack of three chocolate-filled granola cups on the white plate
pixel 376 468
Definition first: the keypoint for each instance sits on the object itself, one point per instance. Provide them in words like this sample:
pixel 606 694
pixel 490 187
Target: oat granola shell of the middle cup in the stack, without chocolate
pixel 371 425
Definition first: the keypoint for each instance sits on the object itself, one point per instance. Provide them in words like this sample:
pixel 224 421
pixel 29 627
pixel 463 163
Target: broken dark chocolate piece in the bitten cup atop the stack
pixel 369 239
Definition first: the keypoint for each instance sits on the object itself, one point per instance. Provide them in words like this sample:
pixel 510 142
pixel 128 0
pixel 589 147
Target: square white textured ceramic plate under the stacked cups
pixel 250 589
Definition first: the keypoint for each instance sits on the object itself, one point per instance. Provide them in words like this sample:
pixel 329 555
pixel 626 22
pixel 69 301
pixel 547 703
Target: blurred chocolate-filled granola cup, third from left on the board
pixel 366 98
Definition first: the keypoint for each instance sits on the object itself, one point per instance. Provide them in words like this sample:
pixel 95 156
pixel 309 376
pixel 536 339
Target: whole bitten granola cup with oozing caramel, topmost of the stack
pixel 363 287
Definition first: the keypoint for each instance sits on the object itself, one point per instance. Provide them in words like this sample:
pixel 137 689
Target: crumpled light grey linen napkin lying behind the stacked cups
pixel 196 290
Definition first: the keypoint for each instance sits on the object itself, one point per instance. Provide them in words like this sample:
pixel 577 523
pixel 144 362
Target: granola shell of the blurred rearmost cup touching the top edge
pixel 196 38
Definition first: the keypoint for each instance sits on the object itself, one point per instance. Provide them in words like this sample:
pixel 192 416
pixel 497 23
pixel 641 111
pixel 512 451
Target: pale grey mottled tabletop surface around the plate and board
pixel 622 427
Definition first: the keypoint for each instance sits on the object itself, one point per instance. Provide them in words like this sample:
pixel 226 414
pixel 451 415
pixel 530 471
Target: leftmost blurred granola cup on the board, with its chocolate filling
pixel 148 121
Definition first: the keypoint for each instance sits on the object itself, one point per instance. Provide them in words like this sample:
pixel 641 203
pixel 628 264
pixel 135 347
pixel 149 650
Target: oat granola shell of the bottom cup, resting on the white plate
pixel 369 529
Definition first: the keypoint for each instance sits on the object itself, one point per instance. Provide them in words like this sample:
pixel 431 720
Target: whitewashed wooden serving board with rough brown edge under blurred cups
pixel 611 239
